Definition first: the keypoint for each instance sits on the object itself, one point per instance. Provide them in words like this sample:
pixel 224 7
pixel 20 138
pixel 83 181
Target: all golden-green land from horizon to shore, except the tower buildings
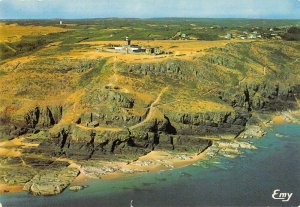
pixel 70 109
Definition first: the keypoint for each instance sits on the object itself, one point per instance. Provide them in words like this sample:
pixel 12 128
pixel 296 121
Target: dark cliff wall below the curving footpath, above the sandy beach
pixel 127 144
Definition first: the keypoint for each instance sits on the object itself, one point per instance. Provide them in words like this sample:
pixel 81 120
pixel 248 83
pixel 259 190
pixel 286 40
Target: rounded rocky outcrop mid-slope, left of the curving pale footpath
pixel 110 107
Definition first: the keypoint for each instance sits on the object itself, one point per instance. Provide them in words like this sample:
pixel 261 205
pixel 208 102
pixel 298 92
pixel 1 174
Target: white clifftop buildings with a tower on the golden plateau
pixel 129 48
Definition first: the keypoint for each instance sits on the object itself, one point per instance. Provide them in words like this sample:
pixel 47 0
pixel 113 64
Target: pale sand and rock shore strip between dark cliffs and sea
pixel 164 160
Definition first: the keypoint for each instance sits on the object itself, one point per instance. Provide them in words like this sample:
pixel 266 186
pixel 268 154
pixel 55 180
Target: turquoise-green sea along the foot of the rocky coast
pixel 248 180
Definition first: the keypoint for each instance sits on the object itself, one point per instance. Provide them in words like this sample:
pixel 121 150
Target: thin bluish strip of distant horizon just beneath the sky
pixel 233 18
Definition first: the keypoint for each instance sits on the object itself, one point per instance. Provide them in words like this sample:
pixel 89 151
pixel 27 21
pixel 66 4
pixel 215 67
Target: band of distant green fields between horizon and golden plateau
pixel 141 29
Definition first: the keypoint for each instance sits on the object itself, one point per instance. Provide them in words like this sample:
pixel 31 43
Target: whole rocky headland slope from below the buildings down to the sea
pixel 120 111
